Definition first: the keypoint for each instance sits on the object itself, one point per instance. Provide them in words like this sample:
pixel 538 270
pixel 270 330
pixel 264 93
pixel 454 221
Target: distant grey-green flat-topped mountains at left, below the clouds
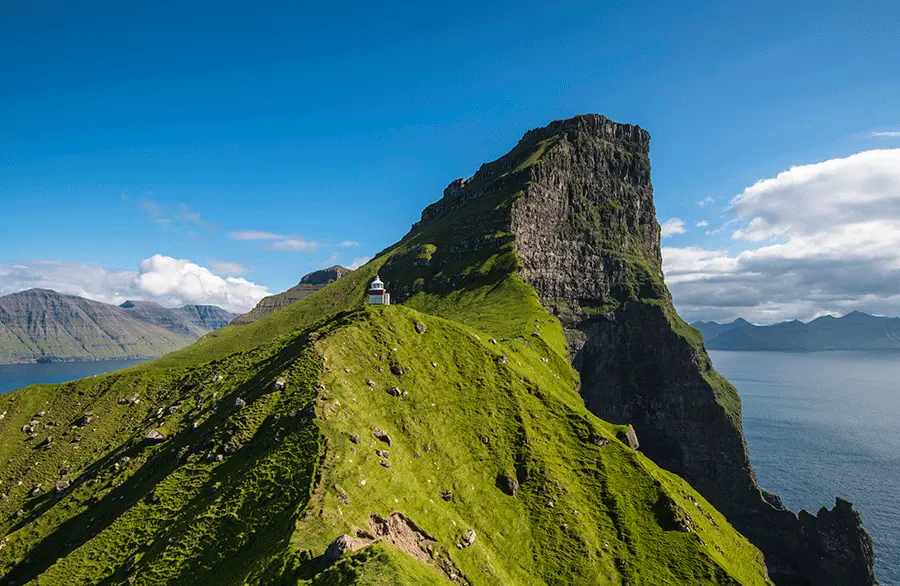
pixel 39 325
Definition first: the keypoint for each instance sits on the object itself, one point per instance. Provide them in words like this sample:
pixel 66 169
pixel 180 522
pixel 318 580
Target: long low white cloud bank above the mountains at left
pixel 163 279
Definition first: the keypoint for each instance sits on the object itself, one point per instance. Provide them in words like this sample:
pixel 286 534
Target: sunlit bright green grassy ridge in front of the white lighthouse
pixel 471 418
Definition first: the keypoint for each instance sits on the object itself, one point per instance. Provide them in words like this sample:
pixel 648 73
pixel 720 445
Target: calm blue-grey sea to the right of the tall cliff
pixel 821 424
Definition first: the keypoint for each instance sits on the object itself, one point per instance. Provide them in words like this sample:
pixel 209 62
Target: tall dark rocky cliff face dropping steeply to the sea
pixel 575 201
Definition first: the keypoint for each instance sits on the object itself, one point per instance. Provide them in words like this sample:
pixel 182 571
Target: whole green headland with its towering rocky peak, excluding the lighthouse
pixel 447 438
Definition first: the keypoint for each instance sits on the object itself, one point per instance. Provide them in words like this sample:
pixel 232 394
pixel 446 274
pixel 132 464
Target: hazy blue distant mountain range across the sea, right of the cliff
pixel 854 331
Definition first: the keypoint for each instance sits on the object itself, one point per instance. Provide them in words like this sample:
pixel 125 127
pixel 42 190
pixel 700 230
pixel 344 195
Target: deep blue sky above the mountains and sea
pixel 129 130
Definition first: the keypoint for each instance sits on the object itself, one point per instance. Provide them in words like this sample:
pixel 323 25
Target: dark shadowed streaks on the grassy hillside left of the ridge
pixel 273 522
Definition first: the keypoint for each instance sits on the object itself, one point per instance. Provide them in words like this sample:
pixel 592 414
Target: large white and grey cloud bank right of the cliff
pixel 820 238
